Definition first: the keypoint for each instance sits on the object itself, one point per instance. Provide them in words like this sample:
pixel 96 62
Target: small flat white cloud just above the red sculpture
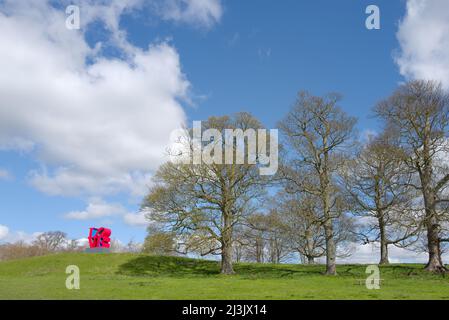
pixel 97 208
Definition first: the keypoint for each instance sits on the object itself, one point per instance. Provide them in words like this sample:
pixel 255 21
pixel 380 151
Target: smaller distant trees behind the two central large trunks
pixel 290 229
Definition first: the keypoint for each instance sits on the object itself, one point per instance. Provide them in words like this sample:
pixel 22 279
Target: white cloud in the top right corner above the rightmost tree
pixel 424 41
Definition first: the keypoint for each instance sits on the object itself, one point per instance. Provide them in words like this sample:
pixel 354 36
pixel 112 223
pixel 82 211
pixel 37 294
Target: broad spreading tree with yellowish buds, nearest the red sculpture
pixel 203 202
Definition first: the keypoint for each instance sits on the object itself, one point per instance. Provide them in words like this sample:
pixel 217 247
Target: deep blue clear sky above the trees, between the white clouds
pixel 257 60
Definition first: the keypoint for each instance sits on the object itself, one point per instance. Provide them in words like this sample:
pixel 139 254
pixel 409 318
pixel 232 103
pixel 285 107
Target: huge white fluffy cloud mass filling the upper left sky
pixel 97 125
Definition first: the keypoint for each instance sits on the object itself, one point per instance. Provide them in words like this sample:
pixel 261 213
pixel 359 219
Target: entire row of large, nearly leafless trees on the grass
pixel 330 189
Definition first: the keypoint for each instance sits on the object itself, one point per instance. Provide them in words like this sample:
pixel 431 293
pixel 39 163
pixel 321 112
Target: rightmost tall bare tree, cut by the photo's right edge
pixel 419 111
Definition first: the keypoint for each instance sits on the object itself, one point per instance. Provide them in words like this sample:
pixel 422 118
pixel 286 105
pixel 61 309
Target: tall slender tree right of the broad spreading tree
pixel 318 131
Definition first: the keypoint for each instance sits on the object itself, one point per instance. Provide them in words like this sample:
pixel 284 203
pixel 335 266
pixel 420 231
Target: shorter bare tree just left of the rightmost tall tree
pixel 376 183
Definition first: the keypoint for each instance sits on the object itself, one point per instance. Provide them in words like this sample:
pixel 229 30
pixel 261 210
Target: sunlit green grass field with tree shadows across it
pixel 134 276
